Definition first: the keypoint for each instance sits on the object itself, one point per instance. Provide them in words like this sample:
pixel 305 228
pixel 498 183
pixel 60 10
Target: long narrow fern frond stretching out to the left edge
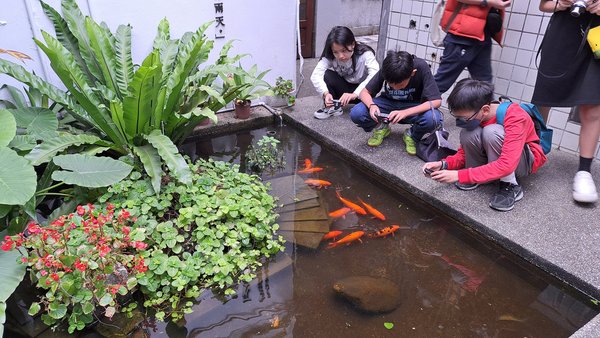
pixel 21 74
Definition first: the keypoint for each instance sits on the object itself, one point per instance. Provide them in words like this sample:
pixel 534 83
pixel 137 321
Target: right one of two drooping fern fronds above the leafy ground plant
pixel 170 155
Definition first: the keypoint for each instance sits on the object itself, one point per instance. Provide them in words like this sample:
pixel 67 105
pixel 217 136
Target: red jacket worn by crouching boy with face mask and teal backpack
pixel 518 131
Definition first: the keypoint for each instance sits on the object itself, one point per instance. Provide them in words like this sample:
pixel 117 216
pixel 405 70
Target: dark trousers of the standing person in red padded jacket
pixel 476 57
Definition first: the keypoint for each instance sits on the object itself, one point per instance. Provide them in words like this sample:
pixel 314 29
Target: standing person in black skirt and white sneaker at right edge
pixel 569 76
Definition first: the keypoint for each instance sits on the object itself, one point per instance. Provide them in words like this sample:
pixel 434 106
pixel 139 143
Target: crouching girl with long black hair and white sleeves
pixel 345 68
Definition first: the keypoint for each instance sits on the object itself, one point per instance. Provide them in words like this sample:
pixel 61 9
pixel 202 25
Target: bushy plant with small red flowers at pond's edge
pixel 85 260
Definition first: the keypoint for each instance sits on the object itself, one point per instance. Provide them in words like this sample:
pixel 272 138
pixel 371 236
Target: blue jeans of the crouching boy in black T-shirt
pixel 421 124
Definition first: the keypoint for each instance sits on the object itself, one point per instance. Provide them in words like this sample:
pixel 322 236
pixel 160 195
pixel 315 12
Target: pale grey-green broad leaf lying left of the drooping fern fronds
pixel 90 171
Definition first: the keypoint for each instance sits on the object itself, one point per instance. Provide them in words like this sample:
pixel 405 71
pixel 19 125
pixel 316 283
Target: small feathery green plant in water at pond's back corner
pixel 265 155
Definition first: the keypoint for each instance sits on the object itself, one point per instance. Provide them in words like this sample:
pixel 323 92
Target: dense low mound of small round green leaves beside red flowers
pixel 211 234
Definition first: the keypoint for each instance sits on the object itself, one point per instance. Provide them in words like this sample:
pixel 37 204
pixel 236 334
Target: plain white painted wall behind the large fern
pixel 266 29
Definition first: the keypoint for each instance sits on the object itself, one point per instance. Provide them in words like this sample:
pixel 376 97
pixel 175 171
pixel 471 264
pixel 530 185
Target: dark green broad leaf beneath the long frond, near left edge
pixel 40 123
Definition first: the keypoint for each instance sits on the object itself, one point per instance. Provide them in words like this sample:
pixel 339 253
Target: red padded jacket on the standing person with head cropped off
pixel 469 21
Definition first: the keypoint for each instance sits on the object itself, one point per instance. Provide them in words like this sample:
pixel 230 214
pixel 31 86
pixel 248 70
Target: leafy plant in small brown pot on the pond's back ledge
pixel 253 87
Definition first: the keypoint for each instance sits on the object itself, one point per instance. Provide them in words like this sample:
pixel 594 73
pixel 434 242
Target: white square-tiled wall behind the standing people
pixel 514 65
